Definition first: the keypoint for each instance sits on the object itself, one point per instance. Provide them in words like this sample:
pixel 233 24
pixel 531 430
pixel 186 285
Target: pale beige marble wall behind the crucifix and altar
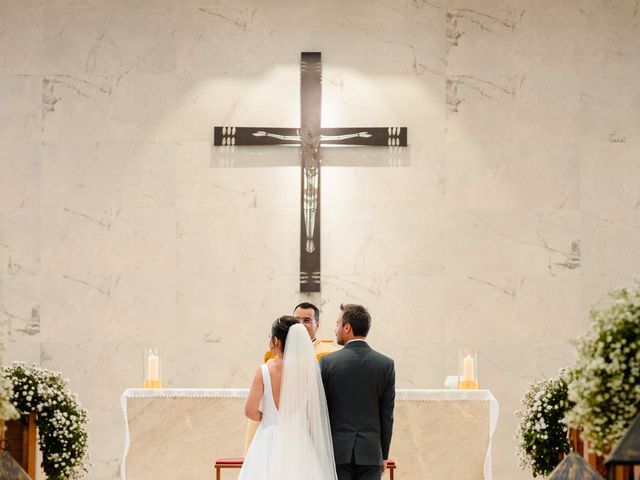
pixel 515 207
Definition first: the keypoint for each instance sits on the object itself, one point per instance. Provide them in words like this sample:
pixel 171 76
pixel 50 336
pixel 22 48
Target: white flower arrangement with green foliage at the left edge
pixel 61 420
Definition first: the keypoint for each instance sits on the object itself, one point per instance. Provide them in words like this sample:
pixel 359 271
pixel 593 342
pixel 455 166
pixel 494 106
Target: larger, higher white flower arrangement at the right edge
pixel 605 383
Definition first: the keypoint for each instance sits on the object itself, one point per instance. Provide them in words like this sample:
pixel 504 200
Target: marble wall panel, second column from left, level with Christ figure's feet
pixel 111 240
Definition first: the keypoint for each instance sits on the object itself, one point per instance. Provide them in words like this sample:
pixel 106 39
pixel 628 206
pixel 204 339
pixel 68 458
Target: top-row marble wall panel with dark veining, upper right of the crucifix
pixel 519 36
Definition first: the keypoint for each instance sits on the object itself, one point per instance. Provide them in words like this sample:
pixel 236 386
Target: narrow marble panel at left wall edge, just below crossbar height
pixel 20 167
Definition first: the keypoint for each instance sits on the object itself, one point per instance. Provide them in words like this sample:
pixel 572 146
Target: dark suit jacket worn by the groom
pixel 360 387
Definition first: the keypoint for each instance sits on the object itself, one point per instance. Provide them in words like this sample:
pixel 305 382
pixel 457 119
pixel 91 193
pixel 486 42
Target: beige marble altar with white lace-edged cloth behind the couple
pixel 178 433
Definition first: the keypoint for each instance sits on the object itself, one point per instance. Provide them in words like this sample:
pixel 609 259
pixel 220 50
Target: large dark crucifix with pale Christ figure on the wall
pixel 310 136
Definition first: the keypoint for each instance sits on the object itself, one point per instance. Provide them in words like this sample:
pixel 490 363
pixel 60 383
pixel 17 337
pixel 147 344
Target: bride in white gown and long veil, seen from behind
pixel 287 397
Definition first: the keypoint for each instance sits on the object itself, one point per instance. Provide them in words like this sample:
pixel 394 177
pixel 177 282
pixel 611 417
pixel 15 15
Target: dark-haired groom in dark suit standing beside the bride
pixel 360 387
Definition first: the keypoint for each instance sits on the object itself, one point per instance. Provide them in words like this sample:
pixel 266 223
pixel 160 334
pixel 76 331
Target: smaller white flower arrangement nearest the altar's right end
pixel 542 433
